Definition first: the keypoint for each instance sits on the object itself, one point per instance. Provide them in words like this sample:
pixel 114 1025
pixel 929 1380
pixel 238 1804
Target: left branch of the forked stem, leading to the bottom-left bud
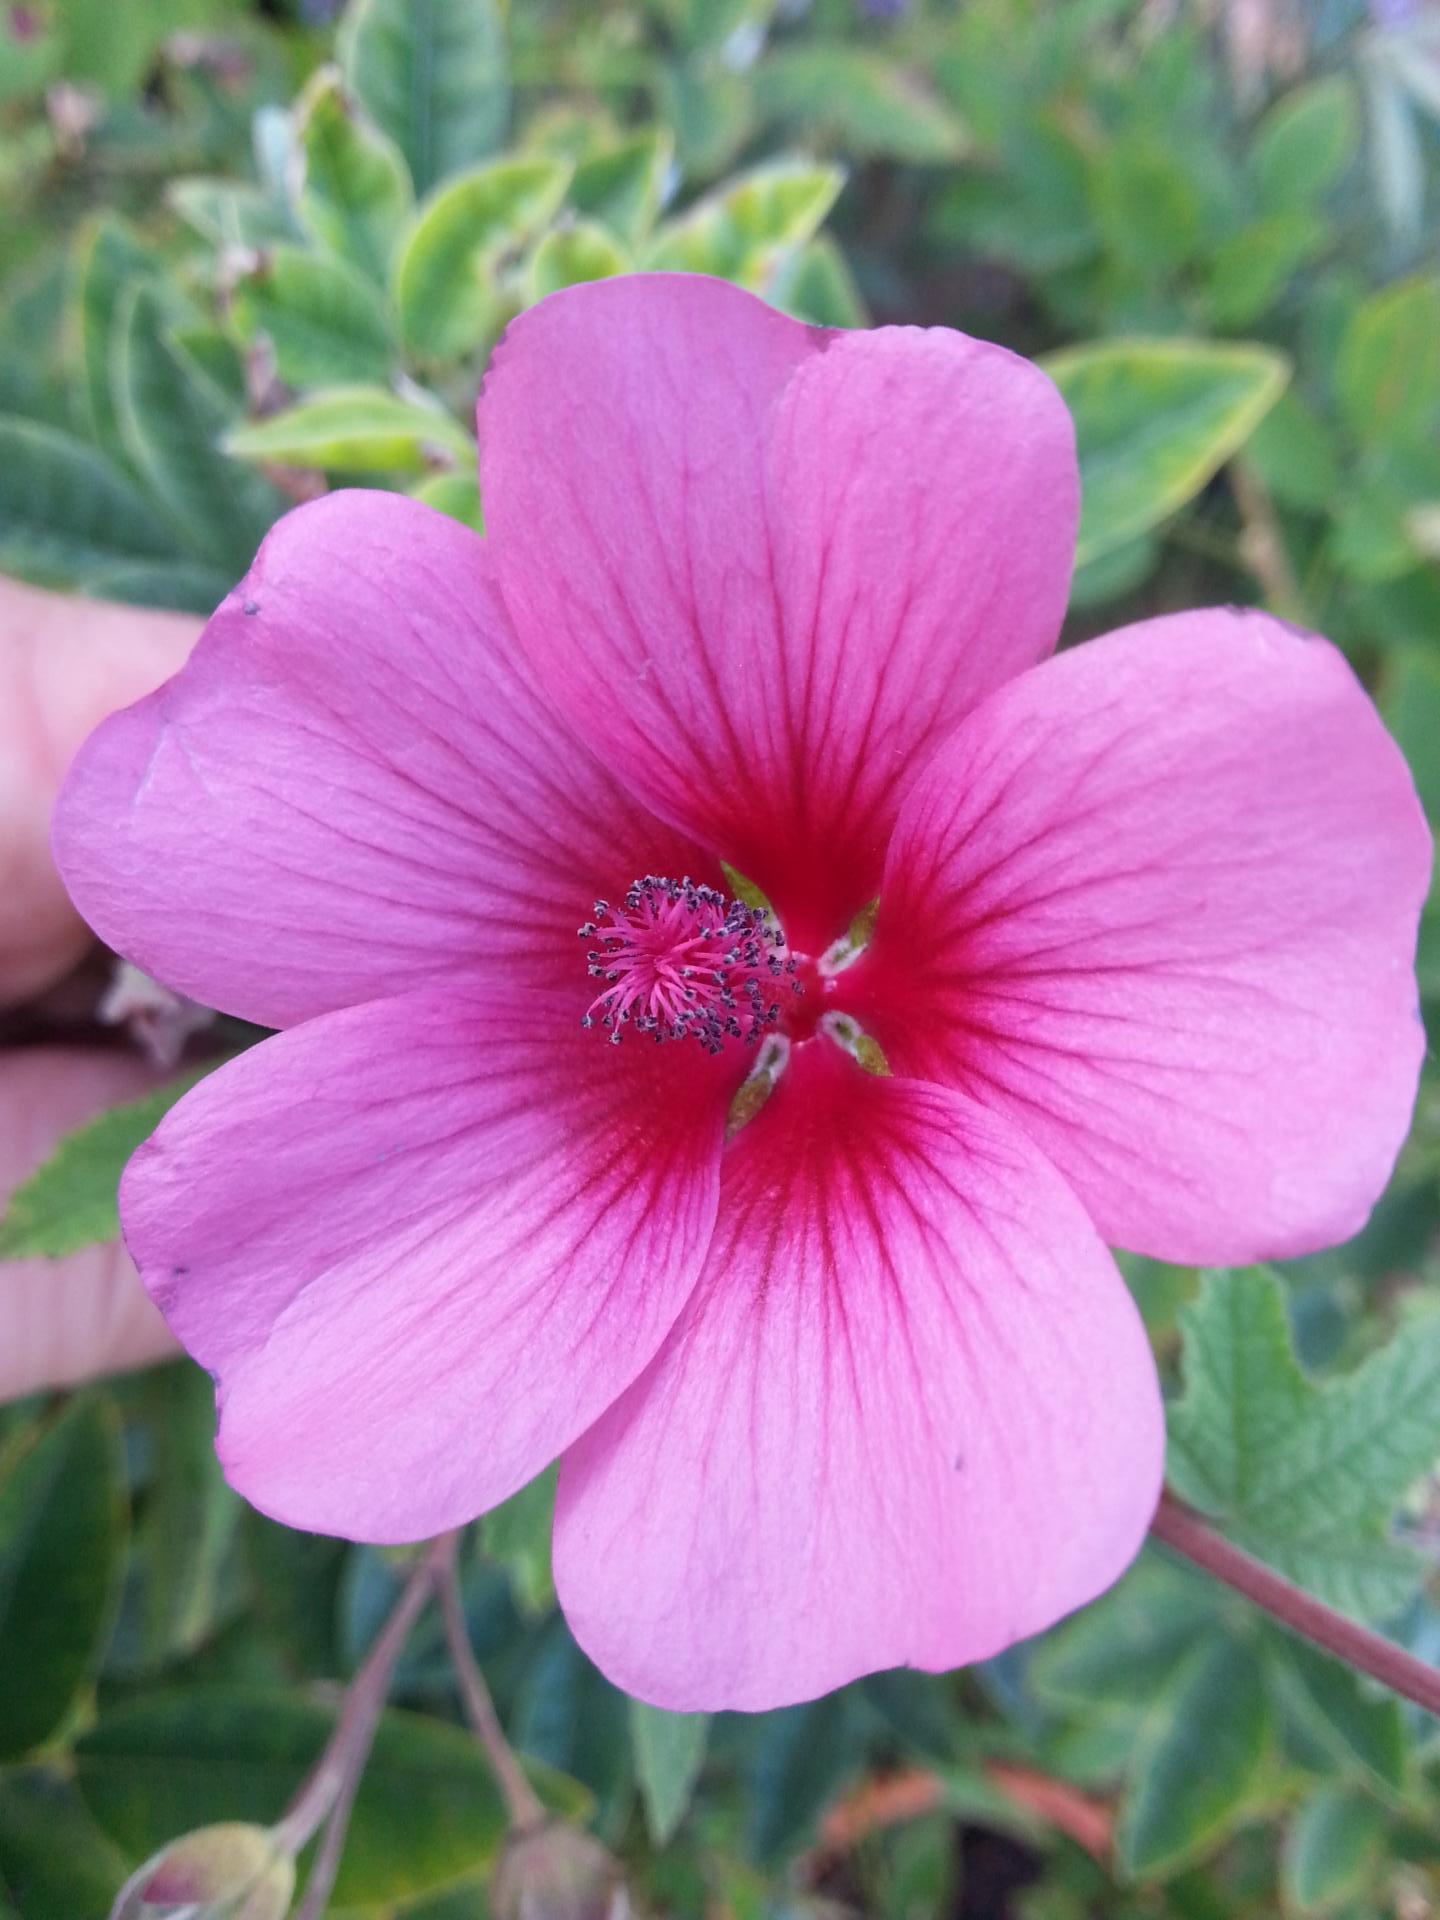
pixel 329 1792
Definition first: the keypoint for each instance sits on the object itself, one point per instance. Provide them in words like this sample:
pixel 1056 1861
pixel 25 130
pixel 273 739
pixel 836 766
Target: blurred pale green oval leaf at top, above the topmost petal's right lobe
pixel 863 103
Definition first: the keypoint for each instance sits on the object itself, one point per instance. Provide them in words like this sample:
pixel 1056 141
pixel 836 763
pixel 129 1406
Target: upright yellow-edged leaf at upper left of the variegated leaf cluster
pixel 354 189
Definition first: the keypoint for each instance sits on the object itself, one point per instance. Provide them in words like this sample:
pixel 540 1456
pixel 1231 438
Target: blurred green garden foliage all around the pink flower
pixel 252 251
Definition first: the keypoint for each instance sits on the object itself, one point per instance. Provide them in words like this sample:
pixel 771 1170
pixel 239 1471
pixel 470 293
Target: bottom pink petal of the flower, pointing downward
pixel 909 1414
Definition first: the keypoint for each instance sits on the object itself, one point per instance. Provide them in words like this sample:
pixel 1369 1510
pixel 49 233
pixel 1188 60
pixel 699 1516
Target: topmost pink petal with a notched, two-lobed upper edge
pixel 765 567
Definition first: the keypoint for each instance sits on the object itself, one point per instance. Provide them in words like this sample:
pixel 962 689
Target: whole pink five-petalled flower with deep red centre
pixel 861 1385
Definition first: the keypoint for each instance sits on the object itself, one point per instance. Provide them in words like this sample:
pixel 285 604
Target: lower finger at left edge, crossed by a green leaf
pixel 68 1320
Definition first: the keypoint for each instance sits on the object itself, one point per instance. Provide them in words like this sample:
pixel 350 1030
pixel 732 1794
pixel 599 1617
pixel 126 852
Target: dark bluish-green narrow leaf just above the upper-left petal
pixel 172 421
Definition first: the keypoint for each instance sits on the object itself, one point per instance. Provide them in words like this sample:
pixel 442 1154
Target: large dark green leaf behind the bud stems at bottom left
pixel 427 1812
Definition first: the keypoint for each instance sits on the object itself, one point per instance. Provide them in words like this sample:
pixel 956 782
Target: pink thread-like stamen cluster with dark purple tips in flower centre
pixel 681 961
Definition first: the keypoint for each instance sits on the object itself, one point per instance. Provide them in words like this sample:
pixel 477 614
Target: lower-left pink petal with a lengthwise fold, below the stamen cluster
pixel 423 1243
